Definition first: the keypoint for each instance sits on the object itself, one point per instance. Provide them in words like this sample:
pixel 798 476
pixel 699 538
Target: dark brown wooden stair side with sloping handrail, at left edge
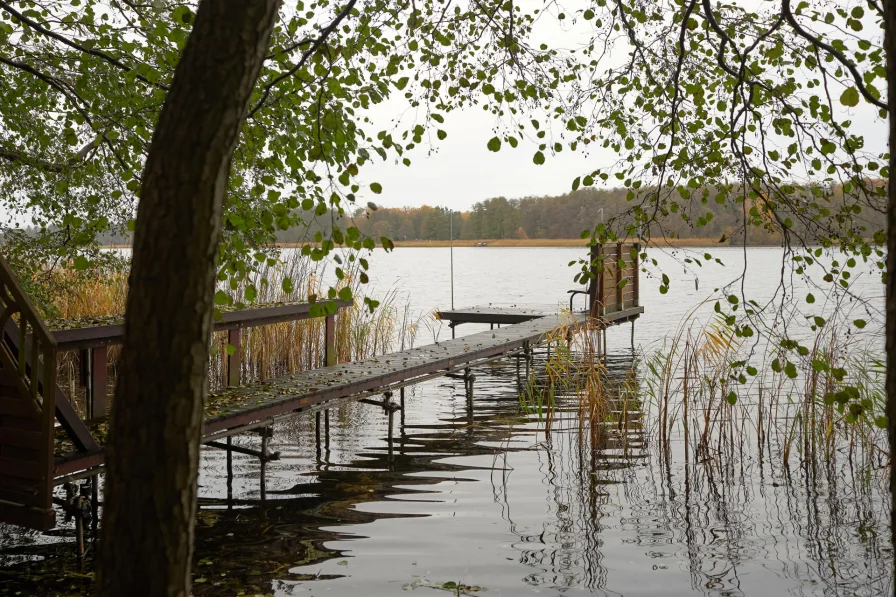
pixel 27 408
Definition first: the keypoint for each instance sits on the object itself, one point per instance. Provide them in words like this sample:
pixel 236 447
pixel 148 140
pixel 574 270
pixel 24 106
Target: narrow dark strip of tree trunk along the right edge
pixel 890 50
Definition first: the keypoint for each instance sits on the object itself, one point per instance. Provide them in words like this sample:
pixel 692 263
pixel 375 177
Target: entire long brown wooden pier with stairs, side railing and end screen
pixel 44 442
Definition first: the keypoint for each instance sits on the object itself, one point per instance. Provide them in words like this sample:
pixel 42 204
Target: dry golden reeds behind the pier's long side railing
pixel 267 351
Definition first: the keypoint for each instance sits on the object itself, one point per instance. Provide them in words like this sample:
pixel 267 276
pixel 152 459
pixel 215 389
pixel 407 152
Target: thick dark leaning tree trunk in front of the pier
pixel 153 454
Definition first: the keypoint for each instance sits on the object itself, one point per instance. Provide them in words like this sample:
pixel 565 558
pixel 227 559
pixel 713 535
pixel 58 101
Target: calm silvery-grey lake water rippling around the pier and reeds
pixel 483 501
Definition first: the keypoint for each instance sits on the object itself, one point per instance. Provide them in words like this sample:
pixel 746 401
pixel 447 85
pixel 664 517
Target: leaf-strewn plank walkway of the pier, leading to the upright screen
pixel 243 406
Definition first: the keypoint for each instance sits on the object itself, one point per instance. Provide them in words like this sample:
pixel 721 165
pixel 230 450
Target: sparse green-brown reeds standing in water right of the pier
pixel 810 404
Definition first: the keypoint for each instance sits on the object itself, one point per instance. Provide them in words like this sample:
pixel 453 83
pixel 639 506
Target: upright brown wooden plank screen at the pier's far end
pixel 615 282
